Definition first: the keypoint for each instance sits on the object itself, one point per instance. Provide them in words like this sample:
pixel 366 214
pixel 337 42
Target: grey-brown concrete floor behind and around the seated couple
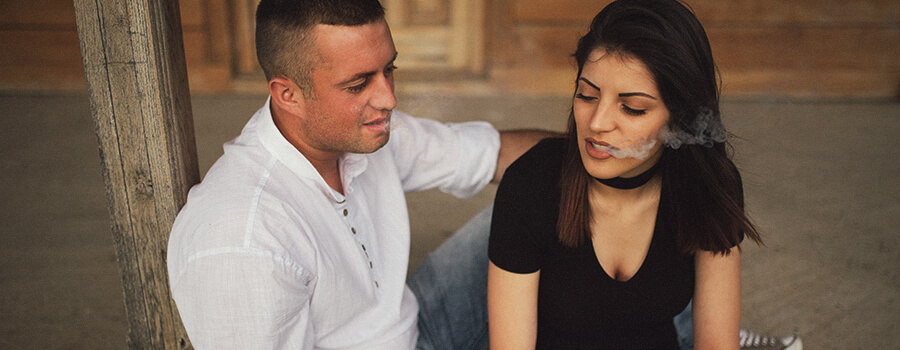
pixel 821 180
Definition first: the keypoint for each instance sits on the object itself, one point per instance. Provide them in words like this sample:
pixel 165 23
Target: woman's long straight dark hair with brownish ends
pixel 701 187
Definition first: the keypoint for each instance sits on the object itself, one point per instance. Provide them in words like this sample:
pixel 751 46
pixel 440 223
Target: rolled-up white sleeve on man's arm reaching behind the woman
pixel 459 159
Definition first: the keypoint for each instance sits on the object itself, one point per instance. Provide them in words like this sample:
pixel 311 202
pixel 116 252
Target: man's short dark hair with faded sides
pixel 284 46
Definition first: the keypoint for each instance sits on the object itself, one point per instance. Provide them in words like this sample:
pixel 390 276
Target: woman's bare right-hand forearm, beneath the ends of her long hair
pixel 717 300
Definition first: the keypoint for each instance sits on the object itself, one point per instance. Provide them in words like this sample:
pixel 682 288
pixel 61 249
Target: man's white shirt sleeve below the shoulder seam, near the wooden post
pixel 244 299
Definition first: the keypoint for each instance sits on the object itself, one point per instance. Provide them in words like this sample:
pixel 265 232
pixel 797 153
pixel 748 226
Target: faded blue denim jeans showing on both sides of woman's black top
pixel 451 288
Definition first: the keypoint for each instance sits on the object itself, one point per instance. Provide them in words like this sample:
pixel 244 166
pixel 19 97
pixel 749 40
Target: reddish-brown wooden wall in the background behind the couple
pixel 799 48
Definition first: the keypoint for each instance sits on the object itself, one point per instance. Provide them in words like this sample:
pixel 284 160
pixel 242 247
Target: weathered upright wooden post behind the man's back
pixel 134 63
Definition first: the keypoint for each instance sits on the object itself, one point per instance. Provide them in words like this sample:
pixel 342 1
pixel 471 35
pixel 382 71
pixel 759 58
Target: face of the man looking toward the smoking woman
pixel 349 108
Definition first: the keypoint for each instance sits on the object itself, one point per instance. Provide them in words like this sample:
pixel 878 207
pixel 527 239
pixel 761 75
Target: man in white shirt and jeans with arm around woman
pixel 298 237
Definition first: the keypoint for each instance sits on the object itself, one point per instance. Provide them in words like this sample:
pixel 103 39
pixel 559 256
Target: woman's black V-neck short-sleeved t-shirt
pixel 579 305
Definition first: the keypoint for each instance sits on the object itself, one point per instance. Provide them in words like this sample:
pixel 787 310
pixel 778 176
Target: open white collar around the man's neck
pixel 351 165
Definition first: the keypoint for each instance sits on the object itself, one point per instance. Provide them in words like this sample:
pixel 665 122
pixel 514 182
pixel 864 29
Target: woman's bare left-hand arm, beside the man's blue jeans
pixel 512 309
